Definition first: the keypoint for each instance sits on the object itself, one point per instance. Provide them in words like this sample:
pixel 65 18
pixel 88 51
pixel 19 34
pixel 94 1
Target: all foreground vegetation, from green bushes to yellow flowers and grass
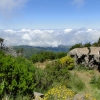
pixel 60 79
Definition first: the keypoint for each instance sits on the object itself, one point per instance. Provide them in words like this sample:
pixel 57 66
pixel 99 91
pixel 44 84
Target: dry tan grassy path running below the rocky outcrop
pixel 86 76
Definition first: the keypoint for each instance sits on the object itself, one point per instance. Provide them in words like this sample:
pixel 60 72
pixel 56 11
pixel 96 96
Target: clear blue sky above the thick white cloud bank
pixel 49 14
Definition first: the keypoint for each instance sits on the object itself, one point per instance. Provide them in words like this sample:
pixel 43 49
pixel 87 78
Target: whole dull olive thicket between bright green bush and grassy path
pixel 51 75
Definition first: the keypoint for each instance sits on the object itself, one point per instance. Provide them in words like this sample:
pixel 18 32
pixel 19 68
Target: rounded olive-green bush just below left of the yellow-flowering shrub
pixel 56 73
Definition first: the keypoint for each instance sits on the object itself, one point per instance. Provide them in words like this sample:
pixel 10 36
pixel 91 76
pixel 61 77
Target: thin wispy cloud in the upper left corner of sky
pixel 8 6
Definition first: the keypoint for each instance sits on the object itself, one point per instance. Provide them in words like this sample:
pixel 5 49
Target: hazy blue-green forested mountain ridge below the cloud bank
pixel 30 50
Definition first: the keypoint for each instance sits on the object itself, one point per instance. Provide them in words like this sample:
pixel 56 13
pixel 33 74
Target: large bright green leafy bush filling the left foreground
pixel 16 75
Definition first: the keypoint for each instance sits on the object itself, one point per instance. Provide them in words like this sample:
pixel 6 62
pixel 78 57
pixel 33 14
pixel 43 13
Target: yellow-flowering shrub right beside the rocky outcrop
pixel 67 61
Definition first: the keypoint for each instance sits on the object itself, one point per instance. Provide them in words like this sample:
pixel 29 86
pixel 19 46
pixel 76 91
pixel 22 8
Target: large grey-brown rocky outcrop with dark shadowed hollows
pixel 89 57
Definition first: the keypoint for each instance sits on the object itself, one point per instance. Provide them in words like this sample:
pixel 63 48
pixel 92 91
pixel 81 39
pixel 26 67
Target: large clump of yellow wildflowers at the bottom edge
pixel 59 93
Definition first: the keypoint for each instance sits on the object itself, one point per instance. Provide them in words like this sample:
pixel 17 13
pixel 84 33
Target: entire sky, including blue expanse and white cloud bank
pixel 49 22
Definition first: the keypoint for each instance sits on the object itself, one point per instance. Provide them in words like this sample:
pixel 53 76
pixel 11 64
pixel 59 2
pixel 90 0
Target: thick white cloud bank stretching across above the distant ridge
pixel 49 37
